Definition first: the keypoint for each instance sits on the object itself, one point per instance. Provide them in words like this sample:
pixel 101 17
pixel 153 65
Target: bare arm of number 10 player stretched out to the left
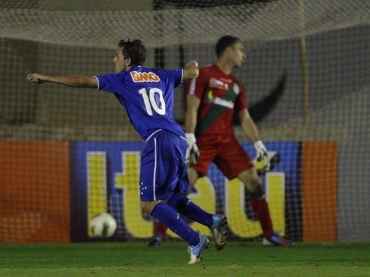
pixel 66 80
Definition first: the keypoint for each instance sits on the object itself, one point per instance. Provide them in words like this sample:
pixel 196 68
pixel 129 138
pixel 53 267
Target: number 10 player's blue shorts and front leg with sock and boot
pixel 162 165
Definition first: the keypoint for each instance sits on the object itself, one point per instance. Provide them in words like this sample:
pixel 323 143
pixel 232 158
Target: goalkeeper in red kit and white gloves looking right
pixel 212 99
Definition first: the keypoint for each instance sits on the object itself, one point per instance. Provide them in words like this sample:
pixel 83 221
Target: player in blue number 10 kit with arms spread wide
pixel 147 95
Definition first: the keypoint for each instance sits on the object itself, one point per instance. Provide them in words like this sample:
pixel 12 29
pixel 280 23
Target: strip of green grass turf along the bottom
pixel 171 259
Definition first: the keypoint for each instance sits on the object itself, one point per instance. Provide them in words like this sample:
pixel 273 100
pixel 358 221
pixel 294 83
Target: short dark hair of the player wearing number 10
pixel 135 50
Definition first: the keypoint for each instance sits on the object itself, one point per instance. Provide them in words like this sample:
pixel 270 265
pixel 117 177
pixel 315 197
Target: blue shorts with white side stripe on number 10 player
pixel 163 170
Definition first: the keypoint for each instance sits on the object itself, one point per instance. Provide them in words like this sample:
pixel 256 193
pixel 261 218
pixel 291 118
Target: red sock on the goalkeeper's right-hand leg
pixel 260 207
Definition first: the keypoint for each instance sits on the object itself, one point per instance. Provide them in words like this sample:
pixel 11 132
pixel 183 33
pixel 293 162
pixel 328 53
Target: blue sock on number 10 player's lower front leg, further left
pixel 166 214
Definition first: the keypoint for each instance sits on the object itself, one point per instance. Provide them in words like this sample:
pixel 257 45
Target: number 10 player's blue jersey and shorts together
pixel 147 95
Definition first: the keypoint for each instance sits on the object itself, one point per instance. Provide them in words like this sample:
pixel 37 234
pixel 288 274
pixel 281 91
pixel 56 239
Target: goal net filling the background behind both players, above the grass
pixel 67 154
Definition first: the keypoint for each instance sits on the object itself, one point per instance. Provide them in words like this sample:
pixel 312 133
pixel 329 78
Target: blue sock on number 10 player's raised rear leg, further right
pixel 189 209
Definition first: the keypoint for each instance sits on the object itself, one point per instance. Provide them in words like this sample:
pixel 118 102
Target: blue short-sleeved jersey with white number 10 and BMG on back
pixel 147 95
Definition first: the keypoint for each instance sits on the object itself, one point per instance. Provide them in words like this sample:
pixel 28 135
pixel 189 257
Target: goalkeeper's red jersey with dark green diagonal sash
pixel 220 95
